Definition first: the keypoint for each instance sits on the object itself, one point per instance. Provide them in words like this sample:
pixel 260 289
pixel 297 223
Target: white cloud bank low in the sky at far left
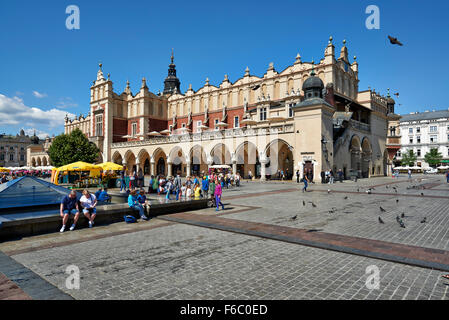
pixel 14 112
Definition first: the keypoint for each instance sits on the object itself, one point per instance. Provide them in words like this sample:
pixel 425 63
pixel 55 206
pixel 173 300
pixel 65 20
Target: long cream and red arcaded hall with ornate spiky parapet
pixel 308 117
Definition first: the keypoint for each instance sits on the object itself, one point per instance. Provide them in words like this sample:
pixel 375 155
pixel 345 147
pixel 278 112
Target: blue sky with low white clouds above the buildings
pixel 46 70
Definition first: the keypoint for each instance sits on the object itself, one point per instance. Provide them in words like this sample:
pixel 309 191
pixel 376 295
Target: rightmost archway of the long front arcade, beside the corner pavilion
pixel 280 157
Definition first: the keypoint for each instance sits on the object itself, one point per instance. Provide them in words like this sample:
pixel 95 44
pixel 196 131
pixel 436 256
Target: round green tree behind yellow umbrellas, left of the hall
pixel 73 147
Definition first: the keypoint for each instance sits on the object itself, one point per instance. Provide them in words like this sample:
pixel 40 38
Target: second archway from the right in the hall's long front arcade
pixel 247 158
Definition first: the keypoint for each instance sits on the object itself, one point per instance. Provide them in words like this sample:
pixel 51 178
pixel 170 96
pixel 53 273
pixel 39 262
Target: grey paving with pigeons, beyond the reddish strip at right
pixel 357 215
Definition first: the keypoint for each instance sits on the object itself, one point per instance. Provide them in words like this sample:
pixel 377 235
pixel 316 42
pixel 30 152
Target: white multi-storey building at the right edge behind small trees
pixel 422 131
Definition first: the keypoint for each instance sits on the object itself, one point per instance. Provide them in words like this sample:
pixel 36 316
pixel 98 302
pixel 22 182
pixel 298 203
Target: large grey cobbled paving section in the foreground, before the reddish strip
pixel 187 262
